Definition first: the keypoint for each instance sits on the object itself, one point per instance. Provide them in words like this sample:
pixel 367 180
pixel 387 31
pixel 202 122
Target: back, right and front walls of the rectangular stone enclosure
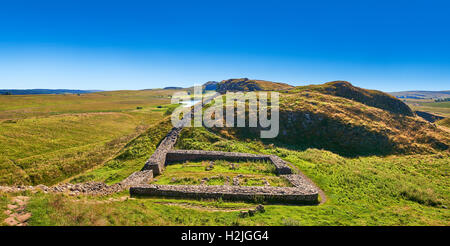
pixel 302 192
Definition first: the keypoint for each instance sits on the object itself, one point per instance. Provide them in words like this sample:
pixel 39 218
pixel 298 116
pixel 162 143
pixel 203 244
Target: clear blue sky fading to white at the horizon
pixel 109 45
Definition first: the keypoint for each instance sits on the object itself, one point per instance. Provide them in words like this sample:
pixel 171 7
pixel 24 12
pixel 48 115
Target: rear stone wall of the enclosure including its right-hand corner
pixel 197 155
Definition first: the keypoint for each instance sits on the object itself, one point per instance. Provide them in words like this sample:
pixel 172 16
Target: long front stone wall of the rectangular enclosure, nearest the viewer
pixel 240 193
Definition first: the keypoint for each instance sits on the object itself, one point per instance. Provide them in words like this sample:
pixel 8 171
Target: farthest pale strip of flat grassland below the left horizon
pixel 26 106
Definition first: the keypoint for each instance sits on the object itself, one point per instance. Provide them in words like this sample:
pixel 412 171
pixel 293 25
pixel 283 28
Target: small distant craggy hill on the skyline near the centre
pixel 245 84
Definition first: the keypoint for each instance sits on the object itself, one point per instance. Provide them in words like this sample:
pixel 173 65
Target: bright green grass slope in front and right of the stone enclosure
pixel 393 190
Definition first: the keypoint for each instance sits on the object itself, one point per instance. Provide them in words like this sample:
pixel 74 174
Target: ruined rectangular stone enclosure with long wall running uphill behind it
pixel 303 191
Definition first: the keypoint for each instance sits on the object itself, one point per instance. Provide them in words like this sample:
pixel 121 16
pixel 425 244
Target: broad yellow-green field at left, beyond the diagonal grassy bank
pixel 48 138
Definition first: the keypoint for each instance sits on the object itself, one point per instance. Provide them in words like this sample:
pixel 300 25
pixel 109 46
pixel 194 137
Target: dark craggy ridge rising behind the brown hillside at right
pixel 372 98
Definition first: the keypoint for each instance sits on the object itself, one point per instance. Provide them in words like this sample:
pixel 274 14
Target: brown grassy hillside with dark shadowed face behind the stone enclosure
pixel 312 119
